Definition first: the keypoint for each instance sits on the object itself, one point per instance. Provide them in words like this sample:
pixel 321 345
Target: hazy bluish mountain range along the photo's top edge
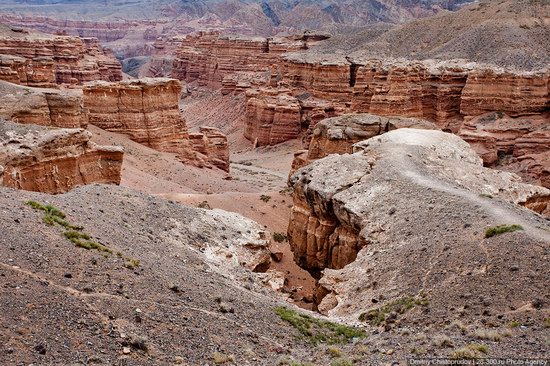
pixel 264 16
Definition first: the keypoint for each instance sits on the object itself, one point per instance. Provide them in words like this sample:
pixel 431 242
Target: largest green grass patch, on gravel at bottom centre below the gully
pixel 314 331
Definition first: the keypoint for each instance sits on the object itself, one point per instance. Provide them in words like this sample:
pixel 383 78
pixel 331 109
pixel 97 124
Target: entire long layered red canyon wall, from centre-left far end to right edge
pixel 288 94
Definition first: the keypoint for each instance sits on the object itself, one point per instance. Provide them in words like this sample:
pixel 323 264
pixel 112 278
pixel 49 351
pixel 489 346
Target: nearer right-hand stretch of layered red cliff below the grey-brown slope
pixel 453 95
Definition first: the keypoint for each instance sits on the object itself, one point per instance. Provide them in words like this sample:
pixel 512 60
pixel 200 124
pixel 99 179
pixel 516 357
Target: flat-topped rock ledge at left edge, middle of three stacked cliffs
pixel 45 107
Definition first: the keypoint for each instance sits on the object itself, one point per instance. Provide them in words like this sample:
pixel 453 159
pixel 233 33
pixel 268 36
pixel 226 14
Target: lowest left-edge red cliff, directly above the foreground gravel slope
pixel 54 160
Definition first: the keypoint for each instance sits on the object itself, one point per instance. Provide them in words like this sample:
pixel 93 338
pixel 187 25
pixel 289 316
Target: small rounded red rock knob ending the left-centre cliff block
pixel 212 144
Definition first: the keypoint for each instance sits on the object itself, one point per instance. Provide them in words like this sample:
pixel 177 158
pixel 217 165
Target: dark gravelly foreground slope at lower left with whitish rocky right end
pixel 188 259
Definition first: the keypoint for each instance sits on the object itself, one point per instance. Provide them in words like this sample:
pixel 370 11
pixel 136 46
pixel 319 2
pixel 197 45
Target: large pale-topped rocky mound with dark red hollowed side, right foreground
pixel 405 215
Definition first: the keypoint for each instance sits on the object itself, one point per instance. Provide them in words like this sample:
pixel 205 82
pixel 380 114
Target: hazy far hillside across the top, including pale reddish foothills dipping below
pixel 131 27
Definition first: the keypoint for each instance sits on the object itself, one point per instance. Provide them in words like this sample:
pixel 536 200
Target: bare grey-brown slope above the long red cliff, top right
pixel 512 33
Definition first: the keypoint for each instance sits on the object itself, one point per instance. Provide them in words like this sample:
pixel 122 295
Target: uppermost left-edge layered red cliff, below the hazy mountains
pixel 44 60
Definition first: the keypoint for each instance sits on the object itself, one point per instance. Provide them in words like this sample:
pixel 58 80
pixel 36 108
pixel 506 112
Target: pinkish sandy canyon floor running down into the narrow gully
pixel 255 173
